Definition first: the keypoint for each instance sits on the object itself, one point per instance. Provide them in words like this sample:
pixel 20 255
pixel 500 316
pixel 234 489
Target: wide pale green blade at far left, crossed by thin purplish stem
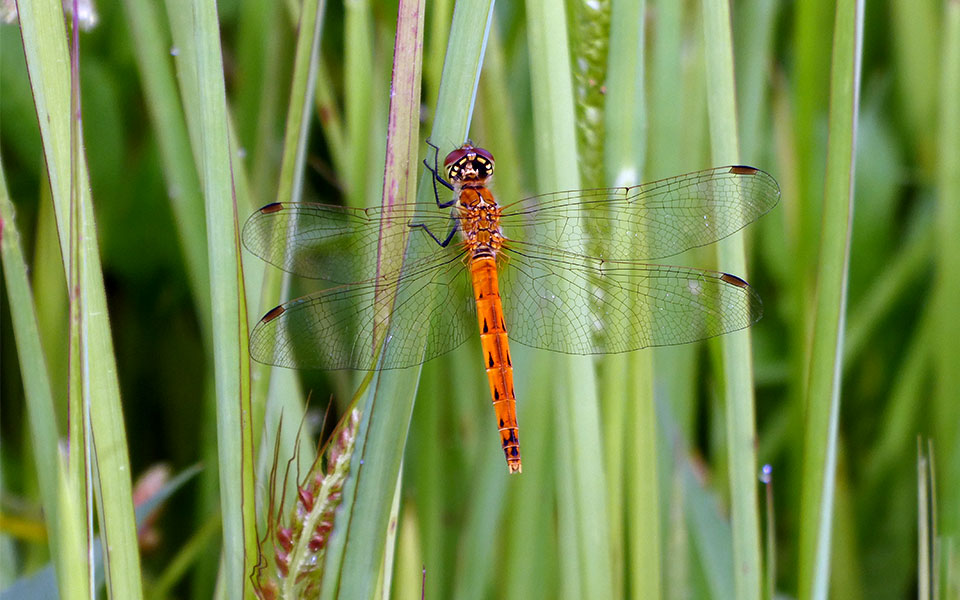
pixel 48 64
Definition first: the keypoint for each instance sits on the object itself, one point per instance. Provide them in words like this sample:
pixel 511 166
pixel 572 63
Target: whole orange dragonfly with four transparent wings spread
pixel 568 271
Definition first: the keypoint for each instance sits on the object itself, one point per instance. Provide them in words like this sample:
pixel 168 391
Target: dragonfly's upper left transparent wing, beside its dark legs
pixel 339 244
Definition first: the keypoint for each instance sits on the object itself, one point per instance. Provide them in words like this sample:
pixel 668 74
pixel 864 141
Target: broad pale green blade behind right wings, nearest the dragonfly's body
pixel 583 527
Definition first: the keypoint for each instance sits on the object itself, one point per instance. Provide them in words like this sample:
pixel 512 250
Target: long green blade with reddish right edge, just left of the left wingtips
pixel 231 358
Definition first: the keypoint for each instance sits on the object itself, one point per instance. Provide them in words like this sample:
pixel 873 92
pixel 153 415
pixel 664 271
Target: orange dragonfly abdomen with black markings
pixel 496 355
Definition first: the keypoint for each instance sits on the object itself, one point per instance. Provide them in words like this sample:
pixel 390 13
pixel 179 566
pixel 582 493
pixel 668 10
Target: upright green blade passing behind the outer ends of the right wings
pixel 736 347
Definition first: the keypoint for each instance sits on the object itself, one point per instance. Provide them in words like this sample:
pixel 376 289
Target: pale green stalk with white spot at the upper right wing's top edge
pixel 626 380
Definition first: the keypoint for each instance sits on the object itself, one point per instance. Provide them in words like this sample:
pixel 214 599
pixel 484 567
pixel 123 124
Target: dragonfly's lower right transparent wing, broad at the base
pixel 579 305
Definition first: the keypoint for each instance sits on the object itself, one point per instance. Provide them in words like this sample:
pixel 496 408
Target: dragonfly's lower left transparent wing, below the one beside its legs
pixel 334 329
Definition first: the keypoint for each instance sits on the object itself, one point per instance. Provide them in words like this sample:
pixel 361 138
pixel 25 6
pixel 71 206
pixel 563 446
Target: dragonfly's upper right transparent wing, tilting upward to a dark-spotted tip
pixel 649 221
